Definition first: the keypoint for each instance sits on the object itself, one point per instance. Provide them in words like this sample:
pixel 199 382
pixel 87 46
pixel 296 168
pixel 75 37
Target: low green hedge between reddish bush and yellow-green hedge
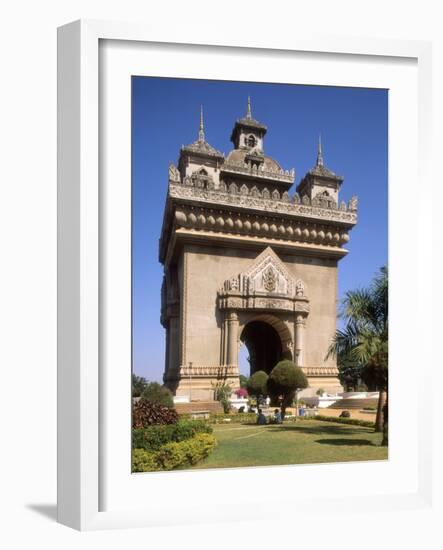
pixel 154 437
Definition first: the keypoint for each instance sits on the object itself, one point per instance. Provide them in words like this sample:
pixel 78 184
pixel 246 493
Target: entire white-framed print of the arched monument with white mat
pixel 229 217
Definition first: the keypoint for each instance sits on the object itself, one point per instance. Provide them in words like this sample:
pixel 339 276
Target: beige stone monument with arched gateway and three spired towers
pixel 249 261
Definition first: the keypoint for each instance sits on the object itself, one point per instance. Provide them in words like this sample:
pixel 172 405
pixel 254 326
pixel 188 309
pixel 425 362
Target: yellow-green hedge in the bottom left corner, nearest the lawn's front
pixel 174 455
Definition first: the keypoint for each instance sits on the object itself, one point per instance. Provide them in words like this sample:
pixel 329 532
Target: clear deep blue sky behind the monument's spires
pixel 165 115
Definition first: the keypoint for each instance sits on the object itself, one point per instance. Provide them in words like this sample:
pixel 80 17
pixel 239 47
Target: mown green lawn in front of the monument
pixel 304 442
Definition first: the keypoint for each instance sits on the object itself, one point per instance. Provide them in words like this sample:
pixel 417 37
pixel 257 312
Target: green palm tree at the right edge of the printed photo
pixel 364 339
